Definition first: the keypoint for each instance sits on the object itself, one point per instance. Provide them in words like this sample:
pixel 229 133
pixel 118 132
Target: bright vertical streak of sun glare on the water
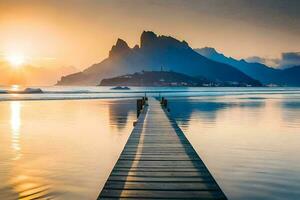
pixel 15 123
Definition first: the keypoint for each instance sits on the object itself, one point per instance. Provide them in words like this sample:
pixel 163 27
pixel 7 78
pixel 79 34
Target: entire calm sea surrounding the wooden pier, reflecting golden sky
pixel 249 139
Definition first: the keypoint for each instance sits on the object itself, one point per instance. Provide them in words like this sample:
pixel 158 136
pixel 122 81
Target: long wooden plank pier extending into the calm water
pixel 158 162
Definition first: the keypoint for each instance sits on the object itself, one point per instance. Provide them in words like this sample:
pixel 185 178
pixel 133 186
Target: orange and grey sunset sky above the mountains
pixel 77 33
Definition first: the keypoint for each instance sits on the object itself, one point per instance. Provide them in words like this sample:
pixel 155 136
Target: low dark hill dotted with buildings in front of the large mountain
pixel 156 78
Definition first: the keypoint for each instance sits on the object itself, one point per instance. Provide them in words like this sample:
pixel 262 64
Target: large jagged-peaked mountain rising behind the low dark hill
pixel 153 53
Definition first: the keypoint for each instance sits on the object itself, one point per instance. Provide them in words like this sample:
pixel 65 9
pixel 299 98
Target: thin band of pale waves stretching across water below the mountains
pixel 94 93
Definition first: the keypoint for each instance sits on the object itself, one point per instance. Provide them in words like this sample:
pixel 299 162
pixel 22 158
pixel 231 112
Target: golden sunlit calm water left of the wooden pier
pixel 65 150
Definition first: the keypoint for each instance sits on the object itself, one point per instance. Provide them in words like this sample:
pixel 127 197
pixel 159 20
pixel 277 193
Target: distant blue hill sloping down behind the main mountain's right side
pixel 261 72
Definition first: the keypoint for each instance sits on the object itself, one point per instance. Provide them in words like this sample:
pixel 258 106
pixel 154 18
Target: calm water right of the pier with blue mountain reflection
pixel 246 143
